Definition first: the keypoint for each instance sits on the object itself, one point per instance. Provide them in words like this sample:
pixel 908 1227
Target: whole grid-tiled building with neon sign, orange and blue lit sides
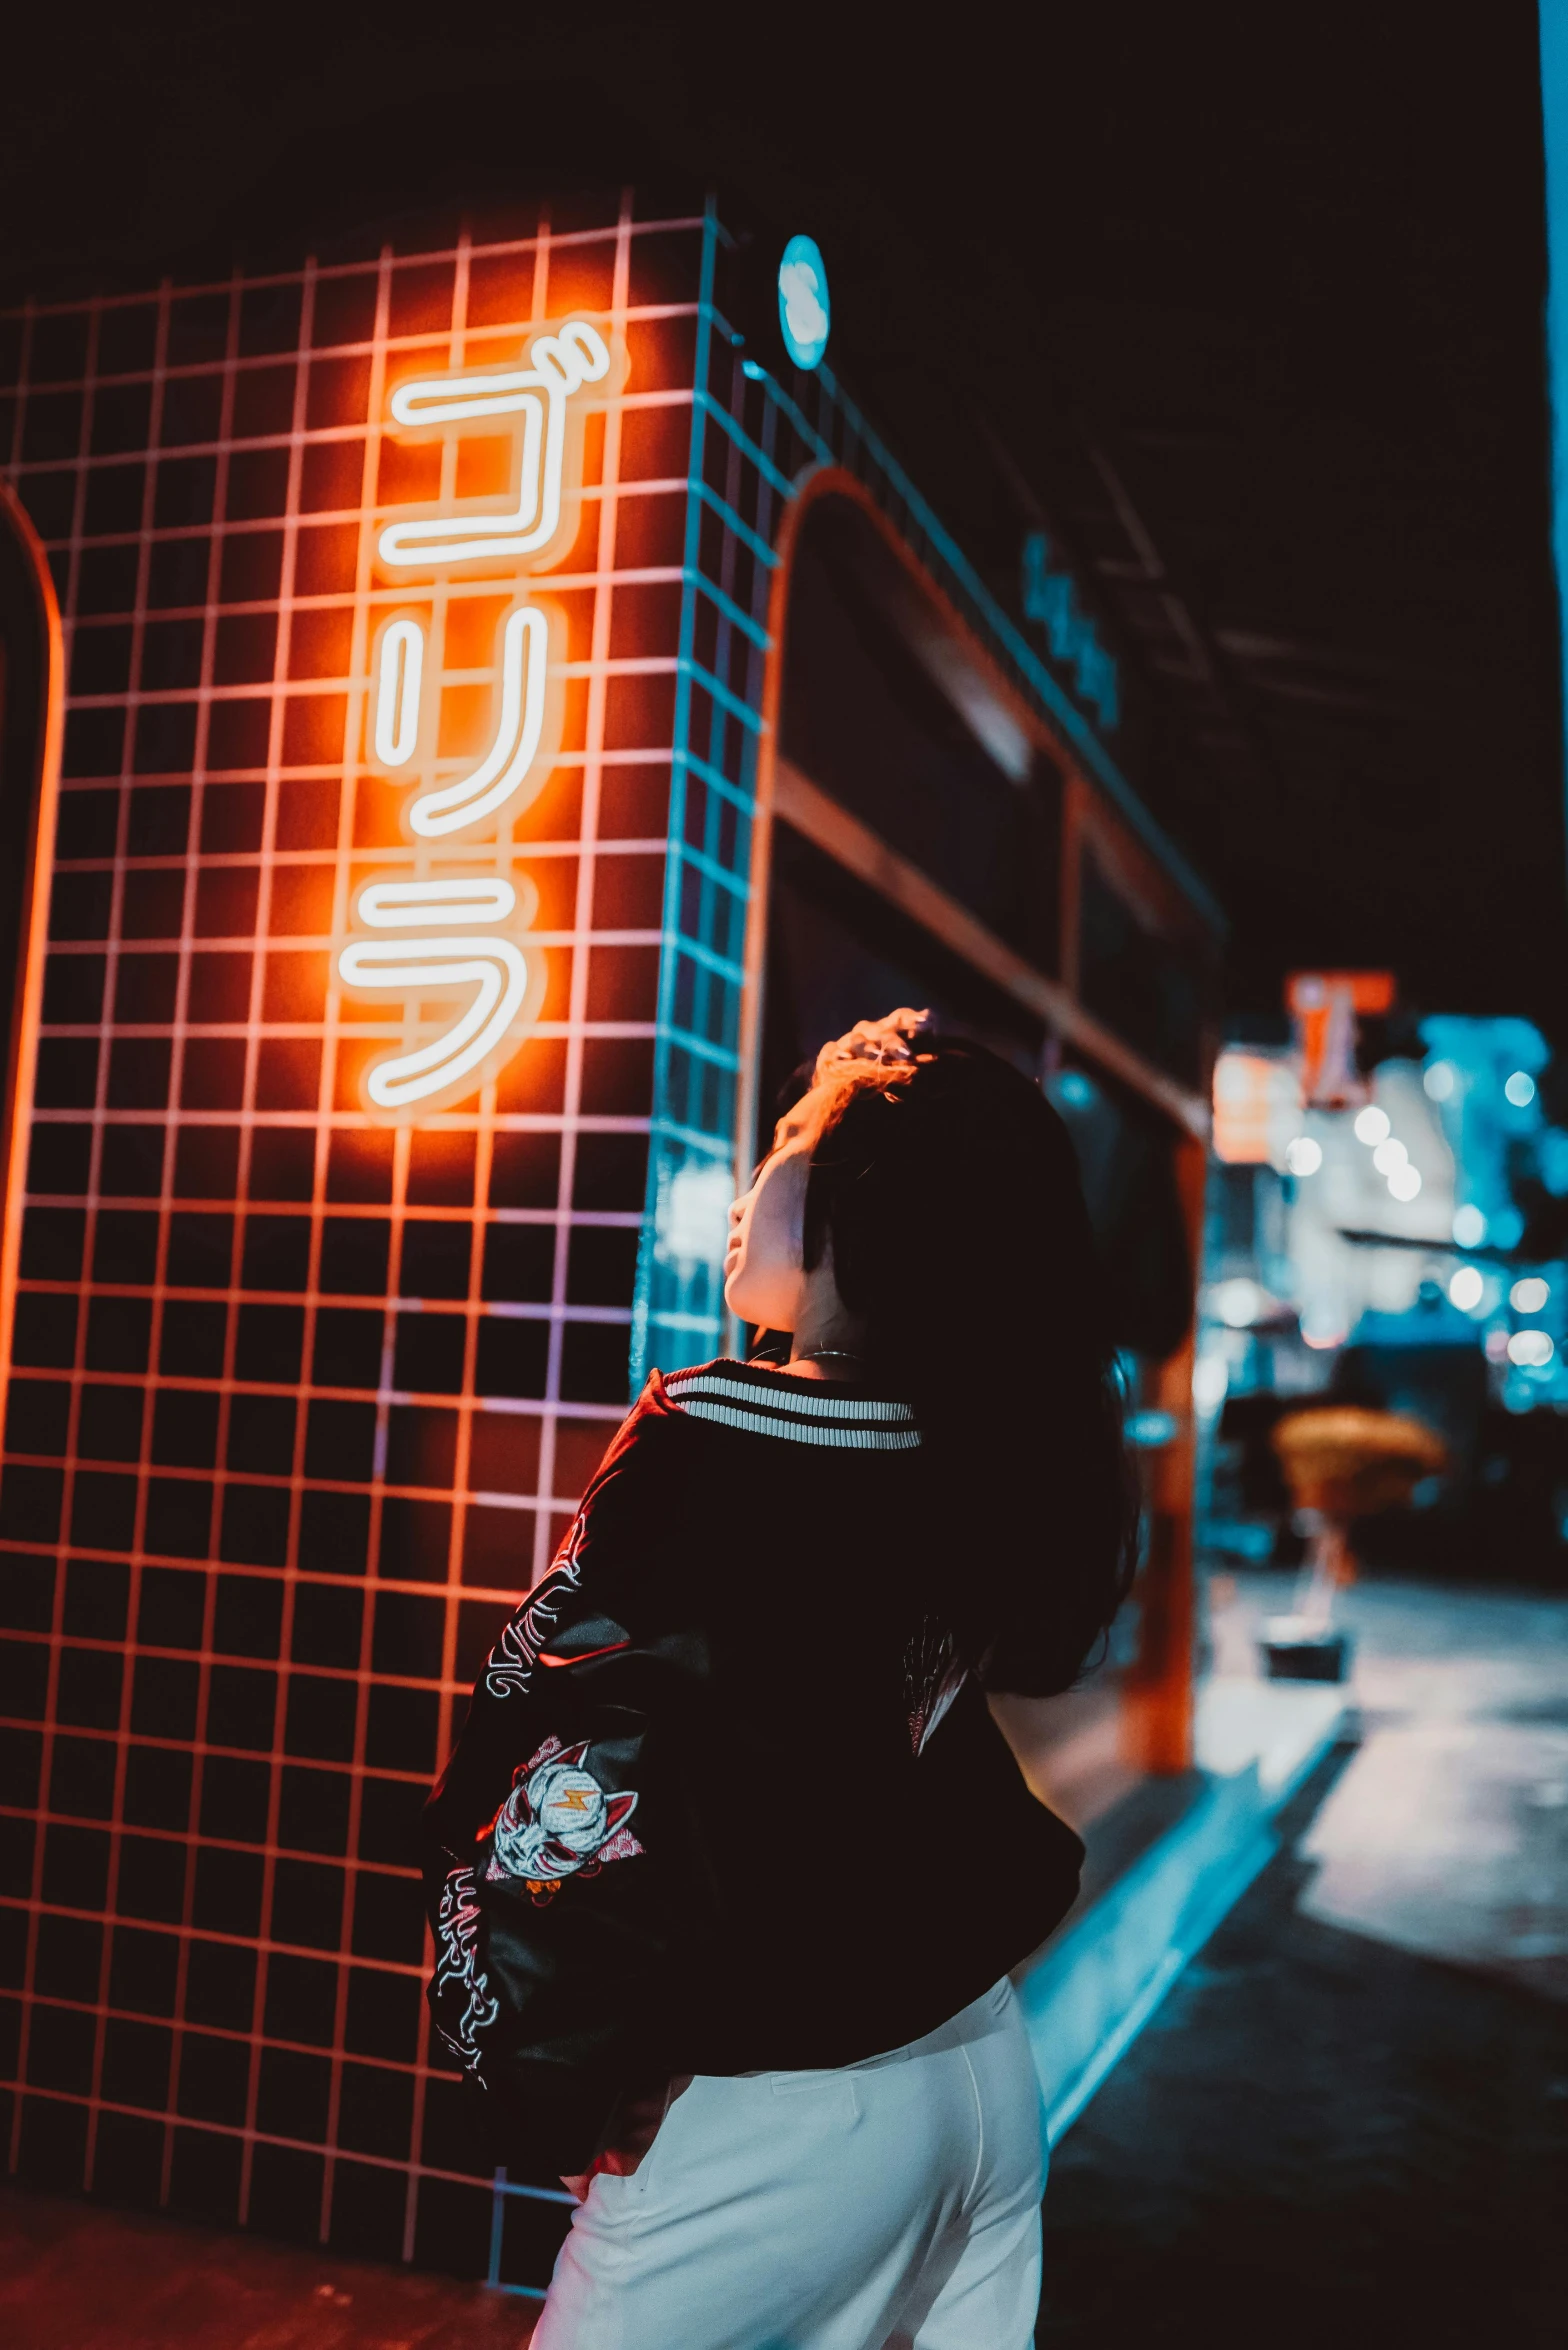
pixel 497 727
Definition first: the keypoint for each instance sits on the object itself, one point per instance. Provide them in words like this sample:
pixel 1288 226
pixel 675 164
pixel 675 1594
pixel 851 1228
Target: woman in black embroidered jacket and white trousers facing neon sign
pixel 732 1862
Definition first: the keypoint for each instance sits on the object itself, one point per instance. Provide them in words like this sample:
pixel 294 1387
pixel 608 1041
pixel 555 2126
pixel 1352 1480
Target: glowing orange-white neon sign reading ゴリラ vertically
pixel 448 944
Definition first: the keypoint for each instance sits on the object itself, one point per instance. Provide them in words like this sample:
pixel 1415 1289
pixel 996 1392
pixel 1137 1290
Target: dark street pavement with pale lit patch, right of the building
pixel 1351 2119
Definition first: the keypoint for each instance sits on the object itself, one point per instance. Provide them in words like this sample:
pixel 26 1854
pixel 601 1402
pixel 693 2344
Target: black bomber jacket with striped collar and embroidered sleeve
pixel 723 1801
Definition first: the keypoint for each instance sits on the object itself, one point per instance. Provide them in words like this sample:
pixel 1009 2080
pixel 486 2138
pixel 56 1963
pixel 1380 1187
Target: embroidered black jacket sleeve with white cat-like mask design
pixel 542 1898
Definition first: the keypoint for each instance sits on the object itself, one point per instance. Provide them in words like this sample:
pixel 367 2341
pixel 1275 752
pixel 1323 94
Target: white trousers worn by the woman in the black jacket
pixel 887 2205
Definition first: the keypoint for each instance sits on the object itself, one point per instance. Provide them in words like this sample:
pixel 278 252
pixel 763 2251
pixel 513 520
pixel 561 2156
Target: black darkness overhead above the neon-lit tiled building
pixel 1245 304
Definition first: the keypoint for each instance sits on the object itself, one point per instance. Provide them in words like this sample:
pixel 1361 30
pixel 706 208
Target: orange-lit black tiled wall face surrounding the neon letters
pixel 300 1404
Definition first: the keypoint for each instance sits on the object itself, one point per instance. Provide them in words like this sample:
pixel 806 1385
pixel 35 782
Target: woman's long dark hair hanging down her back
pixel 951 1197
